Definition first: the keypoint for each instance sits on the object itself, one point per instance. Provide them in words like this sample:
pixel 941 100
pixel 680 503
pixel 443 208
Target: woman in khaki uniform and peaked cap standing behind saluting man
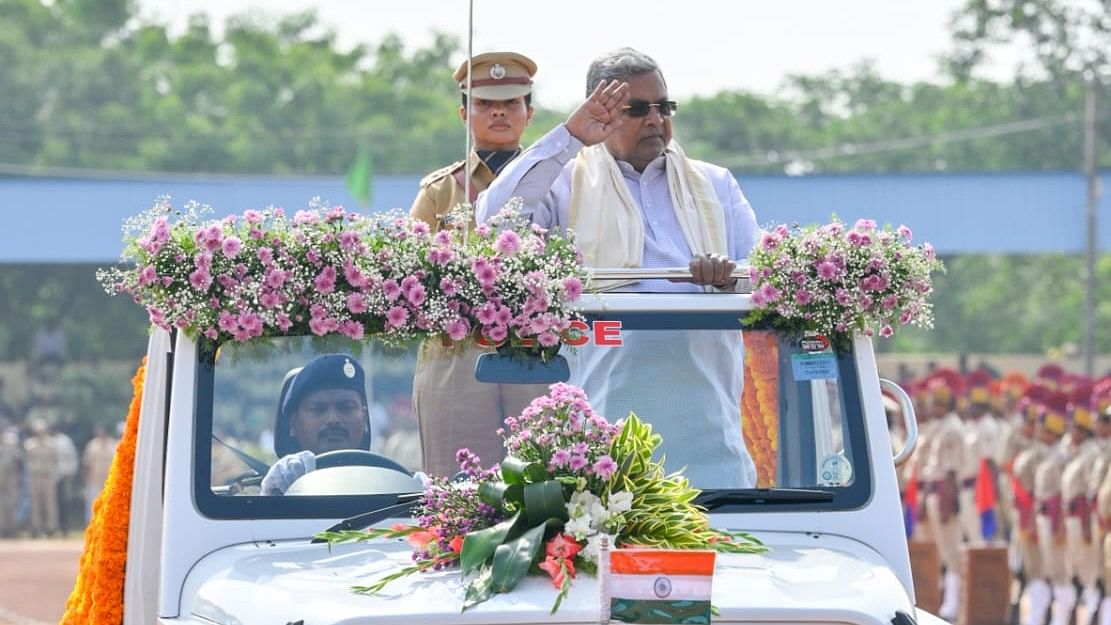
pixel 453 409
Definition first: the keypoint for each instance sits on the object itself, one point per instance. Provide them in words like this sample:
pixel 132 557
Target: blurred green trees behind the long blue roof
pixel 87 84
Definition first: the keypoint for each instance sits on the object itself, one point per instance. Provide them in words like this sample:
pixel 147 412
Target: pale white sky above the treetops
pixel 704 46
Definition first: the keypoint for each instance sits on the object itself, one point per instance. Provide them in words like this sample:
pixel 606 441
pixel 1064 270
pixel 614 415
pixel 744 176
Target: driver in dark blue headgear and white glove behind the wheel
pixel 323 409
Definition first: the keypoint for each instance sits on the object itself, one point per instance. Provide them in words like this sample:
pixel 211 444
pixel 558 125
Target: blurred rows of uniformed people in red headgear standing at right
pixel 1024 462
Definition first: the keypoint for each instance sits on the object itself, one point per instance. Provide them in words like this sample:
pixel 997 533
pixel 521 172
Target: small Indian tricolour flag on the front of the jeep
pixel 658 586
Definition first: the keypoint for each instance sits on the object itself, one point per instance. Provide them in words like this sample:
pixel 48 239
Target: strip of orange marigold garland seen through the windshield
pixel 760 404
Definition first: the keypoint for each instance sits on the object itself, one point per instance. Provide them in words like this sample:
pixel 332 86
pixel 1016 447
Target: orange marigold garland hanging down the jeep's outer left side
pixel 98 593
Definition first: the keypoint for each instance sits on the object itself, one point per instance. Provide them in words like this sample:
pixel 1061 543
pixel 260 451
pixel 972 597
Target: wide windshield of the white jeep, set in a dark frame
pixel 736 410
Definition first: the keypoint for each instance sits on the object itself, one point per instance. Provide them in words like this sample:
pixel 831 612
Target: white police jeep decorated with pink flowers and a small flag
pixel 207 548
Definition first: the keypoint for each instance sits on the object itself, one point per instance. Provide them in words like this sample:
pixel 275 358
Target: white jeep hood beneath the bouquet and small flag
pixel 803 578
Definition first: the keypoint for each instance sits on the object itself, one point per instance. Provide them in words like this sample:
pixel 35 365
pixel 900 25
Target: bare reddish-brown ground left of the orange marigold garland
pixel 36 579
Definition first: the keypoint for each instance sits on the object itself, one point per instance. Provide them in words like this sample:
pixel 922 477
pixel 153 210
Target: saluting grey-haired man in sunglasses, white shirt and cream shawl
pixel 613 175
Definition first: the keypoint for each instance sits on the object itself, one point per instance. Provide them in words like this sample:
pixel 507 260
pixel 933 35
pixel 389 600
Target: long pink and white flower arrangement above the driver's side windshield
pixel 327 271
